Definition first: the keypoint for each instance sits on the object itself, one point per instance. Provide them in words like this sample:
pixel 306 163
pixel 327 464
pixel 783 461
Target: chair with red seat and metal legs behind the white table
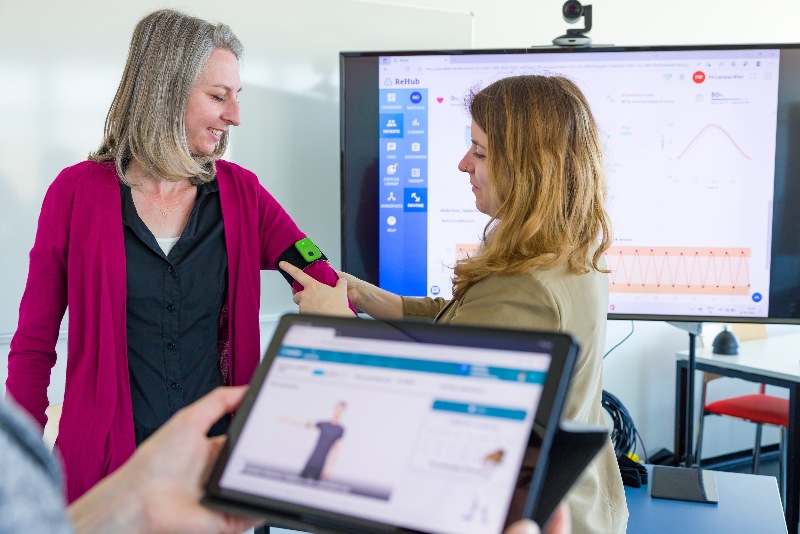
pixel 758 408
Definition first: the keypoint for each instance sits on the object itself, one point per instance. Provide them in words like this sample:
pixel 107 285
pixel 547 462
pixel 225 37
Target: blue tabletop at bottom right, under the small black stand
pixel 747 503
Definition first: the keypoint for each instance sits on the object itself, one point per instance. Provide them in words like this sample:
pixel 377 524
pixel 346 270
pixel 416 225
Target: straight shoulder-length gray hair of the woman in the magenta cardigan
pixel 146 119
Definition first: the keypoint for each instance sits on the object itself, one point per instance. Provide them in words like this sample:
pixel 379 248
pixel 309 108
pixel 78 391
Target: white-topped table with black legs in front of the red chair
pixel 773 360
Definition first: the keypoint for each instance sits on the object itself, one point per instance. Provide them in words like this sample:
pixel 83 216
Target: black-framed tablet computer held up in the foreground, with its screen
pixel 357 425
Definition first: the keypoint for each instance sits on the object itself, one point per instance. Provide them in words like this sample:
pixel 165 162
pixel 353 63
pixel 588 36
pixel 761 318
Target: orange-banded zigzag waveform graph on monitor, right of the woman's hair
pixel 679 270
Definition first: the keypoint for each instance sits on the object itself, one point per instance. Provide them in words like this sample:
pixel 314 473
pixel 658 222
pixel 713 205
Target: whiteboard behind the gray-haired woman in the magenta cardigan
pixel 60 63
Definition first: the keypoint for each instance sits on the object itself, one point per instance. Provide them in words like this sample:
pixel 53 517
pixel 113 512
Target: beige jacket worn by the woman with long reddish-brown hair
pixel 557 300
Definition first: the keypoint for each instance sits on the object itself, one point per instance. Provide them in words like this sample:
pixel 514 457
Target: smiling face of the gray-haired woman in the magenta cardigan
pixel 213 104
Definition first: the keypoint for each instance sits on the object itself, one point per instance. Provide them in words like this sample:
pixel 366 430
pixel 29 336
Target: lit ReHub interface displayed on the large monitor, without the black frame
pixel 690 152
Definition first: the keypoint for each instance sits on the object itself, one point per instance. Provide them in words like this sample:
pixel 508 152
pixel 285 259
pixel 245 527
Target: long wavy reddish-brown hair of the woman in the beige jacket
pixel 545 168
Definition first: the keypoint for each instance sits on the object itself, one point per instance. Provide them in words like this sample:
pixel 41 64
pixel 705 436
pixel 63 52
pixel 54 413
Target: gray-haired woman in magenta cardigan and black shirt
pixel 155 245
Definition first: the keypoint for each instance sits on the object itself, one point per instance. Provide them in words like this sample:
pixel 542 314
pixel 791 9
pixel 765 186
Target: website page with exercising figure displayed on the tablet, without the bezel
pixel 418 435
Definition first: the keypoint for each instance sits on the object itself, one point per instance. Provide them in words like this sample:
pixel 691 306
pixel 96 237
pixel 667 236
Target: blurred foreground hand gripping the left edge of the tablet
pixel 160 487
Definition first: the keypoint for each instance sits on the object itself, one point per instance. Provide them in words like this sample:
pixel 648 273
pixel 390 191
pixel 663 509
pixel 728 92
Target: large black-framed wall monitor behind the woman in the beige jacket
pixel 702 152
